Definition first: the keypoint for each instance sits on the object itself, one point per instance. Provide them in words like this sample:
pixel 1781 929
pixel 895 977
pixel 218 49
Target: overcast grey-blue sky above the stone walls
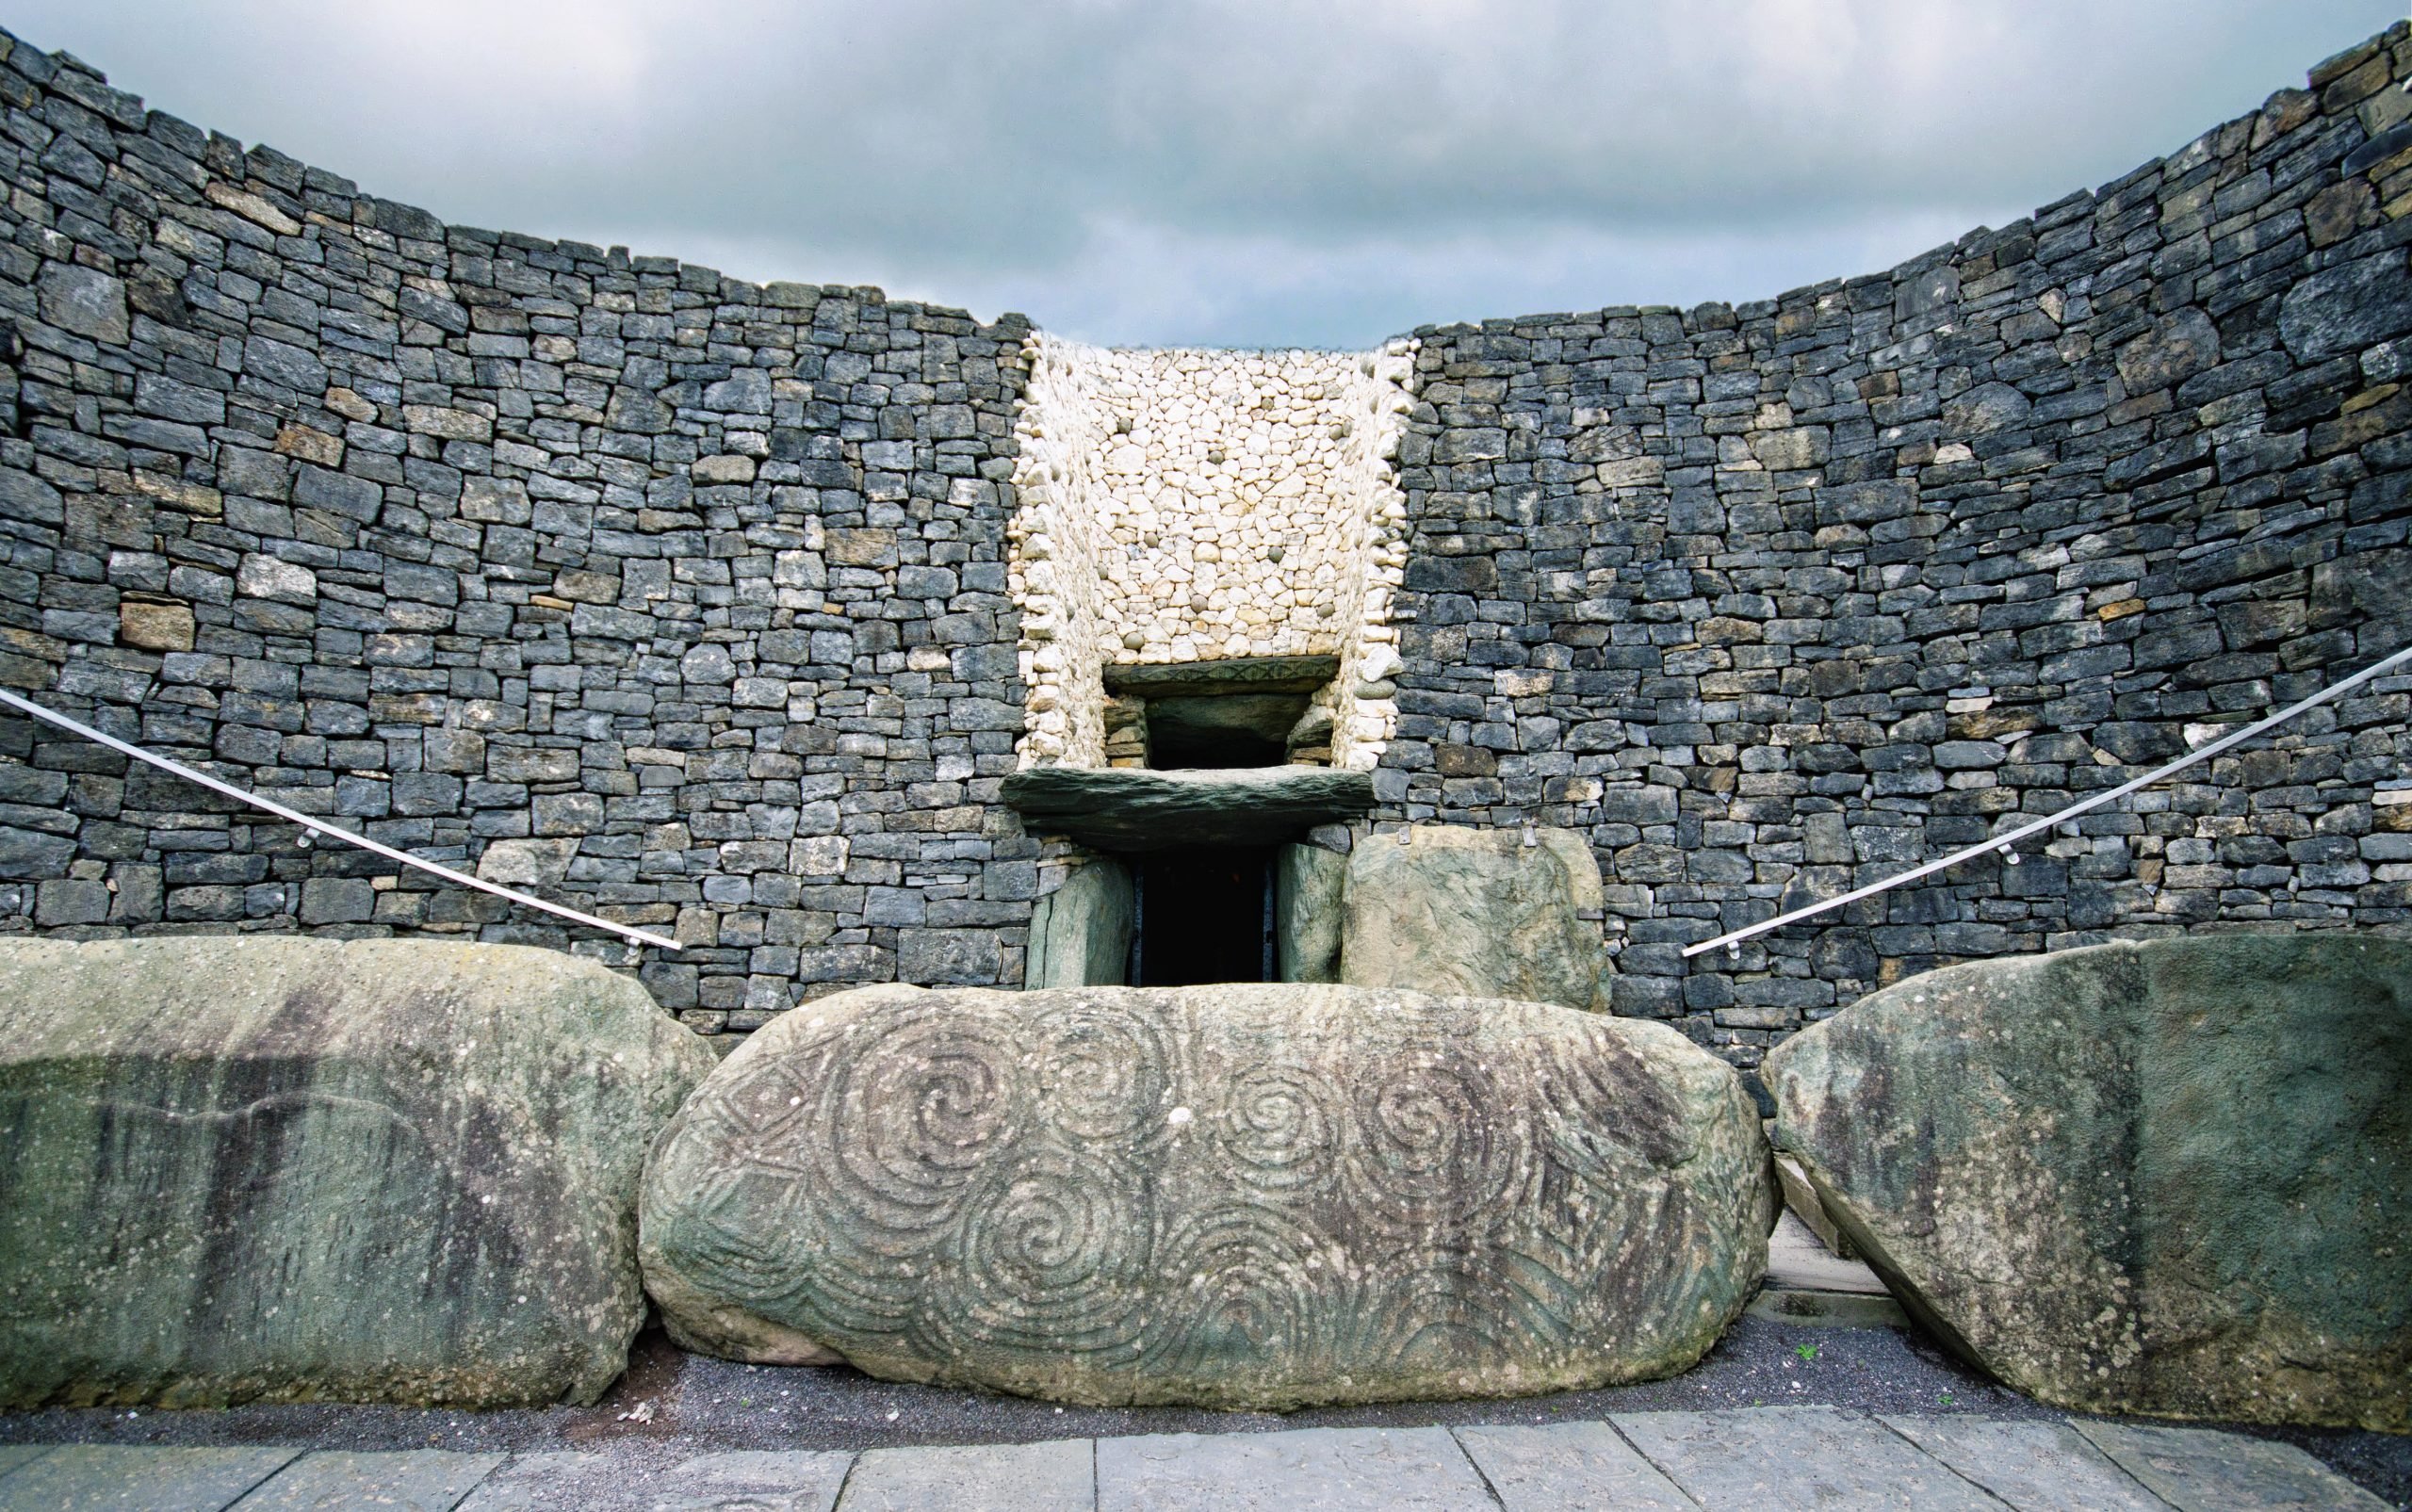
pixel 1282 172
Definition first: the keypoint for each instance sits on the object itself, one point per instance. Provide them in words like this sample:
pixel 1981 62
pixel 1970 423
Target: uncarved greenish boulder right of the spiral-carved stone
pixel 2167 1178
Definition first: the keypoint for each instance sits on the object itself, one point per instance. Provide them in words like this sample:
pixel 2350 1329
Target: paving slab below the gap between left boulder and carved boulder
pixel 604 1482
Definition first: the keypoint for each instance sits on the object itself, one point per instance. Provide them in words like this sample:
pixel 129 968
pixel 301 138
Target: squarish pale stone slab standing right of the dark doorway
pixel 1477 913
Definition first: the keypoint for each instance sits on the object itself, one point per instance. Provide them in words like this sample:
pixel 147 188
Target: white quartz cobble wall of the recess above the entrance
pixel 1185 505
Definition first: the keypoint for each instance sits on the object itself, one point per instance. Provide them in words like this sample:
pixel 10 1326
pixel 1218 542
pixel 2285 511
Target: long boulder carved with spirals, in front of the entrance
pixel 1243 1197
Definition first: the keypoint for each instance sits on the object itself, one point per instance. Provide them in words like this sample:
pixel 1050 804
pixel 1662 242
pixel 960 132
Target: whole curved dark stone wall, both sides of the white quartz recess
pixel 689 602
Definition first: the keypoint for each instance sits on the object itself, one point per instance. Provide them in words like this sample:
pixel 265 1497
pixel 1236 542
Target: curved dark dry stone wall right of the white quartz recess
pixel 1779 599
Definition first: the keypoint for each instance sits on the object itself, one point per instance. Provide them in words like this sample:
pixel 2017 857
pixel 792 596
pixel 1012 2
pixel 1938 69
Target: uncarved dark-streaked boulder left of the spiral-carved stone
pixel 315 1171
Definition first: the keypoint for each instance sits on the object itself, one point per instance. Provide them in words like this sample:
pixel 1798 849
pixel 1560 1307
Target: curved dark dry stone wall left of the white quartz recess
pixel 672 597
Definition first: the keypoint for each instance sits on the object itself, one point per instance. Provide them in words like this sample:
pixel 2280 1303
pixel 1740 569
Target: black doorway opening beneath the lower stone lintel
pixel 1205 918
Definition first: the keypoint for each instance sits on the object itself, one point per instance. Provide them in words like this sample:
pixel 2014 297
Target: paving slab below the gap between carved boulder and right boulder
pixel 1810 1458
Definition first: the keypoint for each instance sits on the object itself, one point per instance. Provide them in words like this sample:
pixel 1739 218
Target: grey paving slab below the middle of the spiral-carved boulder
pixel 1333 1470
